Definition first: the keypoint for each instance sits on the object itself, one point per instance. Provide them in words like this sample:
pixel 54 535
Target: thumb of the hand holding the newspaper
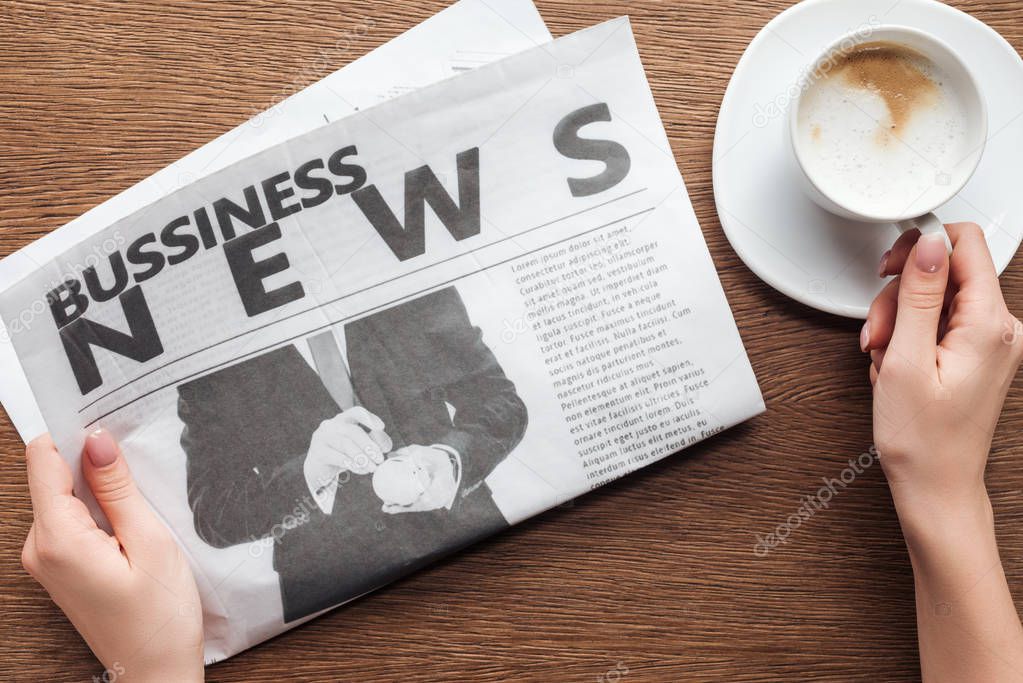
pixel 107 472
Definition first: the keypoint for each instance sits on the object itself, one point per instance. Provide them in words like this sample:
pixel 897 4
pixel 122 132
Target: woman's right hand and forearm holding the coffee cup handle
pixel 945 351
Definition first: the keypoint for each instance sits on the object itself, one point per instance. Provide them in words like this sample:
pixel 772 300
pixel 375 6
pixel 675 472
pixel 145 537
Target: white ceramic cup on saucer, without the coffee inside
pixel 919 214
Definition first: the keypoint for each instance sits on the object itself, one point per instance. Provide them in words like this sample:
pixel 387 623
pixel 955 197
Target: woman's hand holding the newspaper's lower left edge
pixel 131 596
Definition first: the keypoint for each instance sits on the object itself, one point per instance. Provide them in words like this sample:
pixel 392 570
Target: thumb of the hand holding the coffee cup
pixel 921 299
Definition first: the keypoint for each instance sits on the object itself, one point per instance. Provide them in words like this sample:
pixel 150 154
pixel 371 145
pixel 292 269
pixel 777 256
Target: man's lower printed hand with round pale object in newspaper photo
pixel 418 479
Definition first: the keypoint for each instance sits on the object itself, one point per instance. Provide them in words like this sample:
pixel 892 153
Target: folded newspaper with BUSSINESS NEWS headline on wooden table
pixel 340 359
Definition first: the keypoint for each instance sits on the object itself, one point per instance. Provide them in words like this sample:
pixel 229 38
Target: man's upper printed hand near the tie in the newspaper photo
pixel 354 442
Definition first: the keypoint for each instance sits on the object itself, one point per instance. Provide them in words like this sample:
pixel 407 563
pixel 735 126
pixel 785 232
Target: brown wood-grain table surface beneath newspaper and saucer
pixel 652 579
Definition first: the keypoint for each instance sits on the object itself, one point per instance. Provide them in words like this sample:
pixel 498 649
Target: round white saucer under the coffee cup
pixel 821 260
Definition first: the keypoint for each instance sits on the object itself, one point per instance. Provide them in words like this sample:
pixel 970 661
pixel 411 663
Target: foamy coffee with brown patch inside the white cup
pixel 880 126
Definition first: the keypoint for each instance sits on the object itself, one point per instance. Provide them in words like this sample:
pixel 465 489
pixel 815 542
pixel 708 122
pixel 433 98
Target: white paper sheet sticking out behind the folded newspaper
pixel 464 36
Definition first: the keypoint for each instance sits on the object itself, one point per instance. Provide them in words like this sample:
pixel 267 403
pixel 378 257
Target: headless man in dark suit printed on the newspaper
pixel 310 422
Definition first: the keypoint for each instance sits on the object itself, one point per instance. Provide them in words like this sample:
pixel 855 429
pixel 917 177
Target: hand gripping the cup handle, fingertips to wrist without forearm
pixel 945 351
